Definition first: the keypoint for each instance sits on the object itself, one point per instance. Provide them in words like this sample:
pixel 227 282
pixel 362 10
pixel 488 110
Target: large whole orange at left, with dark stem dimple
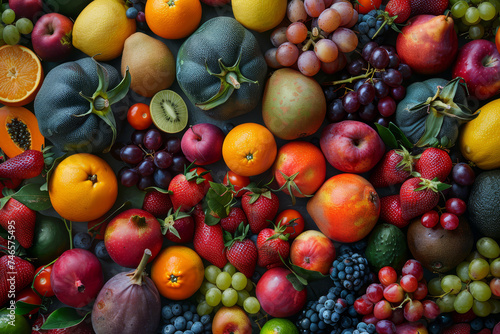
pixel 83 187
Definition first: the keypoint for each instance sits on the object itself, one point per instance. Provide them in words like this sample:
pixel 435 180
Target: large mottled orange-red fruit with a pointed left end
pixel 345 208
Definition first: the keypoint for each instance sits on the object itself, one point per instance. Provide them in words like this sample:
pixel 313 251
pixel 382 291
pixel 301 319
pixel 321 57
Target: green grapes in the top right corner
pixel 477 18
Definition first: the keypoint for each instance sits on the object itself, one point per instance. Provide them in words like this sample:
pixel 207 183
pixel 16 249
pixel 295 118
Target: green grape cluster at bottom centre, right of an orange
pixel 226 286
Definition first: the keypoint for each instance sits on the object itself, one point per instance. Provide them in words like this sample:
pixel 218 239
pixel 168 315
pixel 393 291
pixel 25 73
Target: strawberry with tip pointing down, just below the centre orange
pixel 260 206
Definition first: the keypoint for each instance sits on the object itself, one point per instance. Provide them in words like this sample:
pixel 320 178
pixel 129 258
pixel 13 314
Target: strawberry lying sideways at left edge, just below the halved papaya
pixel 26 165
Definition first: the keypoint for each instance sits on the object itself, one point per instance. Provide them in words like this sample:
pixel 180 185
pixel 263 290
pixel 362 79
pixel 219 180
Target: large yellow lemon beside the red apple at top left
pixel 101 29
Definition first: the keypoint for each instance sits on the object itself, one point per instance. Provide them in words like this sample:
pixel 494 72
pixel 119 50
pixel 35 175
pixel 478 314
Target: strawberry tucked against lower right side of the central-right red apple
pixel 394 168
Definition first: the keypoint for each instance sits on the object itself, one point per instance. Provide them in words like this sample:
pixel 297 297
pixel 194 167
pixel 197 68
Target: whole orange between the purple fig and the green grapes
pixel 177 272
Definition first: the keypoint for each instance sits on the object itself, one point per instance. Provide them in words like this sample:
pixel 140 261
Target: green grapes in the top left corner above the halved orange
pixel 11 29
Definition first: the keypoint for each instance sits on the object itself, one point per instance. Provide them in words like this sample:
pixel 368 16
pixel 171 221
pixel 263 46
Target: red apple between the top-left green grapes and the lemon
pixel 51 37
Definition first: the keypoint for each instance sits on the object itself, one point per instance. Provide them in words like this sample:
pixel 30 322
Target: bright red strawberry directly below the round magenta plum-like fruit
pixel 189 188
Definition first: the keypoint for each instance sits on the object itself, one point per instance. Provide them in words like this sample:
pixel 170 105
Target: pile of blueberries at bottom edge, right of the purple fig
pixel 182 318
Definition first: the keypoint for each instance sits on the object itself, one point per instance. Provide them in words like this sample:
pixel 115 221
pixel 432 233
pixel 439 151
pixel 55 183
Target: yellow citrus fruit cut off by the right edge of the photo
pixel 480 139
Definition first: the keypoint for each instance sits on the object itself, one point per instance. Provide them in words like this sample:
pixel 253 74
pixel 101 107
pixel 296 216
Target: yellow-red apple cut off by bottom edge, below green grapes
pixel 231 320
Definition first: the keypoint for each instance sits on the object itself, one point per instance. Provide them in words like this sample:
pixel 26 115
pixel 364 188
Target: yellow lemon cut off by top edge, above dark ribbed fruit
pixel 259 15
